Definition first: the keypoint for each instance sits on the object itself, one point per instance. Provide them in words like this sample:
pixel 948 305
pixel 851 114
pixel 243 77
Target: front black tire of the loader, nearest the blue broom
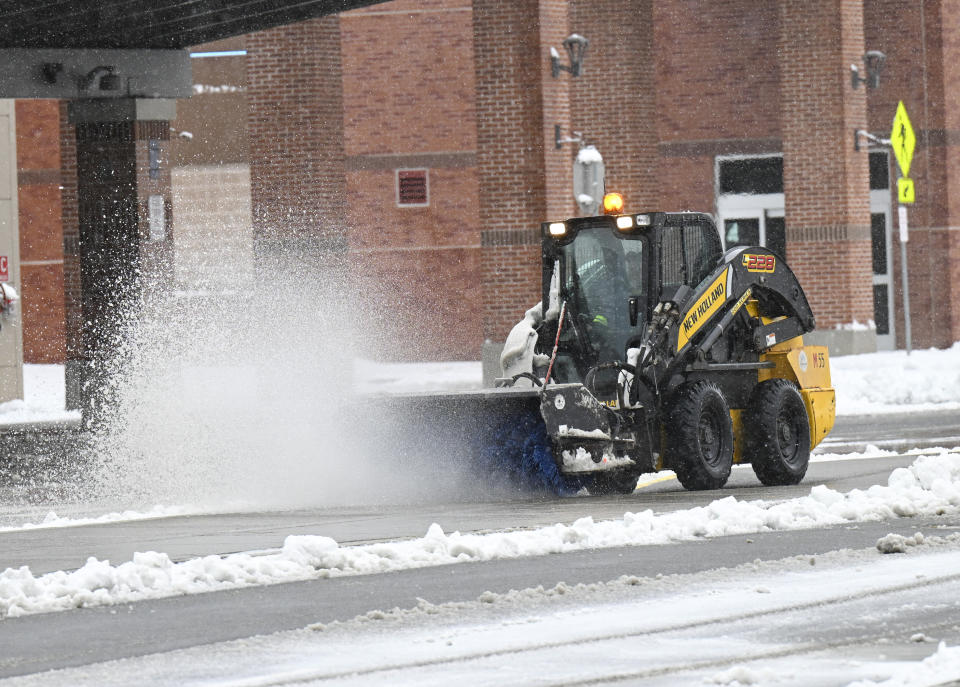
pixel 700 436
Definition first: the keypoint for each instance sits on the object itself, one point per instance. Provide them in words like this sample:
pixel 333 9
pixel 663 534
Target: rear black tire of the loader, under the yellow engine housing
pixel 776 433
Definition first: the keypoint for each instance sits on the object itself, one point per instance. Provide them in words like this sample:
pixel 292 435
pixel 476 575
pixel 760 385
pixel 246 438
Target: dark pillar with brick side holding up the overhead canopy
pixel 123 230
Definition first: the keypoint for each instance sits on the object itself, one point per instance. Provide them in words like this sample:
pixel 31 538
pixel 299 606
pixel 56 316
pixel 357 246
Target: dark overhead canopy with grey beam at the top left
pixel 123 49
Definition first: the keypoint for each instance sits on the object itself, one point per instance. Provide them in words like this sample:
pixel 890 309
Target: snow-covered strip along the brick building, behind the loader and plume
pixel 869 383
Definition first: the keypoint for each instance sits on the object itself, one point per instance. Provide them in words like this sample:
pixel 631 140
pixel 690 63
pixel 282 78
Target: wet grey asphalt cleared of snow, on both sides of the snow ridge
pixel 83 636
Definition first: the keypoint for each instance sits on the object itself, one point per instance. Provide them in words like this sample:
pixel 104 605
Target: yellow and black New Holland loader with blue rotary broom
pixel 651 349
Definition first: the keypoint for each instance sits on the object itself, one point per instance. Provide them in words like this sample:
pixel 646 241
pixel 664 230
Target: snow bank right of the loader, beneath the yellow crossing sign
pixel 893 381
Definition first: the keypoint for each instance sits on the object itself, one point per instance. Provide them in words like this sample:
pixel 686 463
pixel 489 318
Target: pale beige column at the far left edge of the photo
pixel 11 338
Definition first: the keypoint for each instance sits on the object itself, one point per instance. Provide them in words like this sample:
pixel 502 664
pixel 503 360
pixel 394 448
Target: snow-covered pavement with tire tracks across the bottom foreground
pixel 844 617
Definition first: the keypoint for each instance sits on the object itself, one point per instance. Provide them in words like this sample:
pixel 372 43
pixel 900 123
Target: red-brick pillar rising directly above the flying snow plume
pixel 295 128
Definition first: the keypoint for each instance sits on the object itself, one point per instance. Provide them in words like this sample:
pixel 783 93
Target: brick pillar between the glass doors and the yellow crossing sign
pixel 826 183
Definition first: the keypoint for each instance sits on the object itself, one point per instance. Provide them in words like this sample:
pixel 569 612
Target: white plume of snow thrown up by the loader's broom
pixel 242 399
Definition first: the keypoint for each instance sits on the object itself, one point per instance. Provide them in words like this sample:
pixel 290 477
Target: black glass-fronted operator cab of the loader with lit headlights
pixel 611 271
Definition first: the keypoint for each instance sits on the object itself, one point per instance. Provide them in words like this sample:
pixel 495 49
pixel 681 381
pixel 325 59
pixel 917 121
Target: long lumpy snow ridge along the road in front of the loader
pixel 931 485
